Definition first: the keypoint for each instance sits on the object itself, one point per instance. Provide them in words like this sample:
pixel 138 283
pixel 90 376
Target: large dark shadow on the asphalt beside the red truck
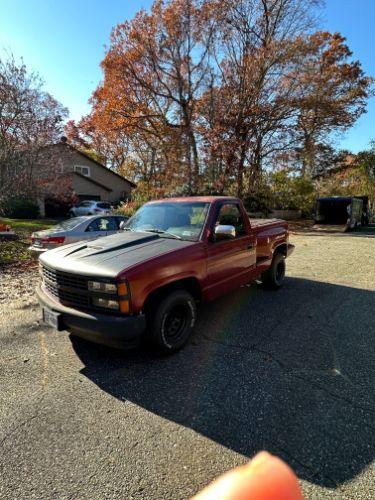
pixel 291 372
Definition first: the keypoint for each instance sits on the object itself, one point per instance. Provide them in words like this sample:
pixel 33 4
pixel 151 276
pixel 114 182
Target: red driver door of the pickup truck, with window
pixel 230 262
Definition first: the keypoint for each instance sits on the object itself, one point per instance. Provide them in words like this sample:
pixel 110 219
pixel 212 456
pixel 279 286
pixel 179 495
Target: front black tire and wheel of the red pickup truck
pixel 171 322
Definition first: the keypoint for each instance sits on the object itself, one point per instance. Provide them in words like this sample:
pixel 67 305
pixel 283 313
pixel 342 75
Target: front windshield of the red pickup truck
pixel 179 219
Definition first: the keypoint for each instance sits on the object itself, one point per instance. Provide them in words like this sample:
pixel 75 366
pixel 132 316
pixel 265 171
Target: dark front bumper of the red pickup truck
pixel 115 331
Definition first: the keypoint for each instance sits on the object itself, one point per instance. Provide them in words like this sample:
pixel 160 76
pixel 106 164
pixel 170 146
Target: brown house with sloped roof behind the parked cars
pixel 67 175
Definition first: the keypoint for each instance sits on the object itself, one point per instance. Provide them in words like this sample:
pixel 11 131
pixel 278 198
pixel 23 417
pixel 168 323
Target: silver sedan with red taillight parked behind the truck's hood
pixel 75 229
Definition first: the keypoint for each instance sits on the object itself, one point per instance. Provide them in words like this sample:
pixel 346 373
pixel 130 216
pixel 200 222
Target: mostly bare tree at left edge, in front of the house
pixel 29 119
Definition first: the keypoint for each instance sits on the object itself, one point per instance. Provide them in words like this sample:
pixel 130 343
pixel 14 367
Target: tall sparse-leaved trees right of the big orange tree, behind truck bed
pixel 258 43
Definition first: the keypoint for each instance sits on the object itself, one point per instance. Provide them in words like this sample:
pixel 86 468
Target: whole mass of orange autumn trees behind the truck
pixel 203 96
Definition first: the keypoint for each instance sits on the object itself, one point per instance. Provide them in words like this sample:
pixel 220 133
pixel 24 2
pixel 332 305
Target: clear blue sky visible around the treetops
pixel 65 42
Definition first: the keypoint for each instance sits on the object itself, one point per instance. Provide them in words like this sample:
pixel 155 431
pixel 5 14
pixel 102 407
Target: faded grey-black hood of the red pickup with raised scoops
pixel 109 255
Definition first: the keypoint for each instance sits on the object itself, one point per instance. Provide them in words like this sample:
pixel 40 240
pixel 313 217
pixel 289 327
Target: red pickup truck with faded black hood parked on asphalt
pixel 147 279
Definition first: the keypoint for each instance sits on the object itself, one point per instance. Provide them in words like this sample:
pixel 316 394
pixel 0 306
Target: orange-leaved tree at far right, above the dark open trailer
pixel 332 94
